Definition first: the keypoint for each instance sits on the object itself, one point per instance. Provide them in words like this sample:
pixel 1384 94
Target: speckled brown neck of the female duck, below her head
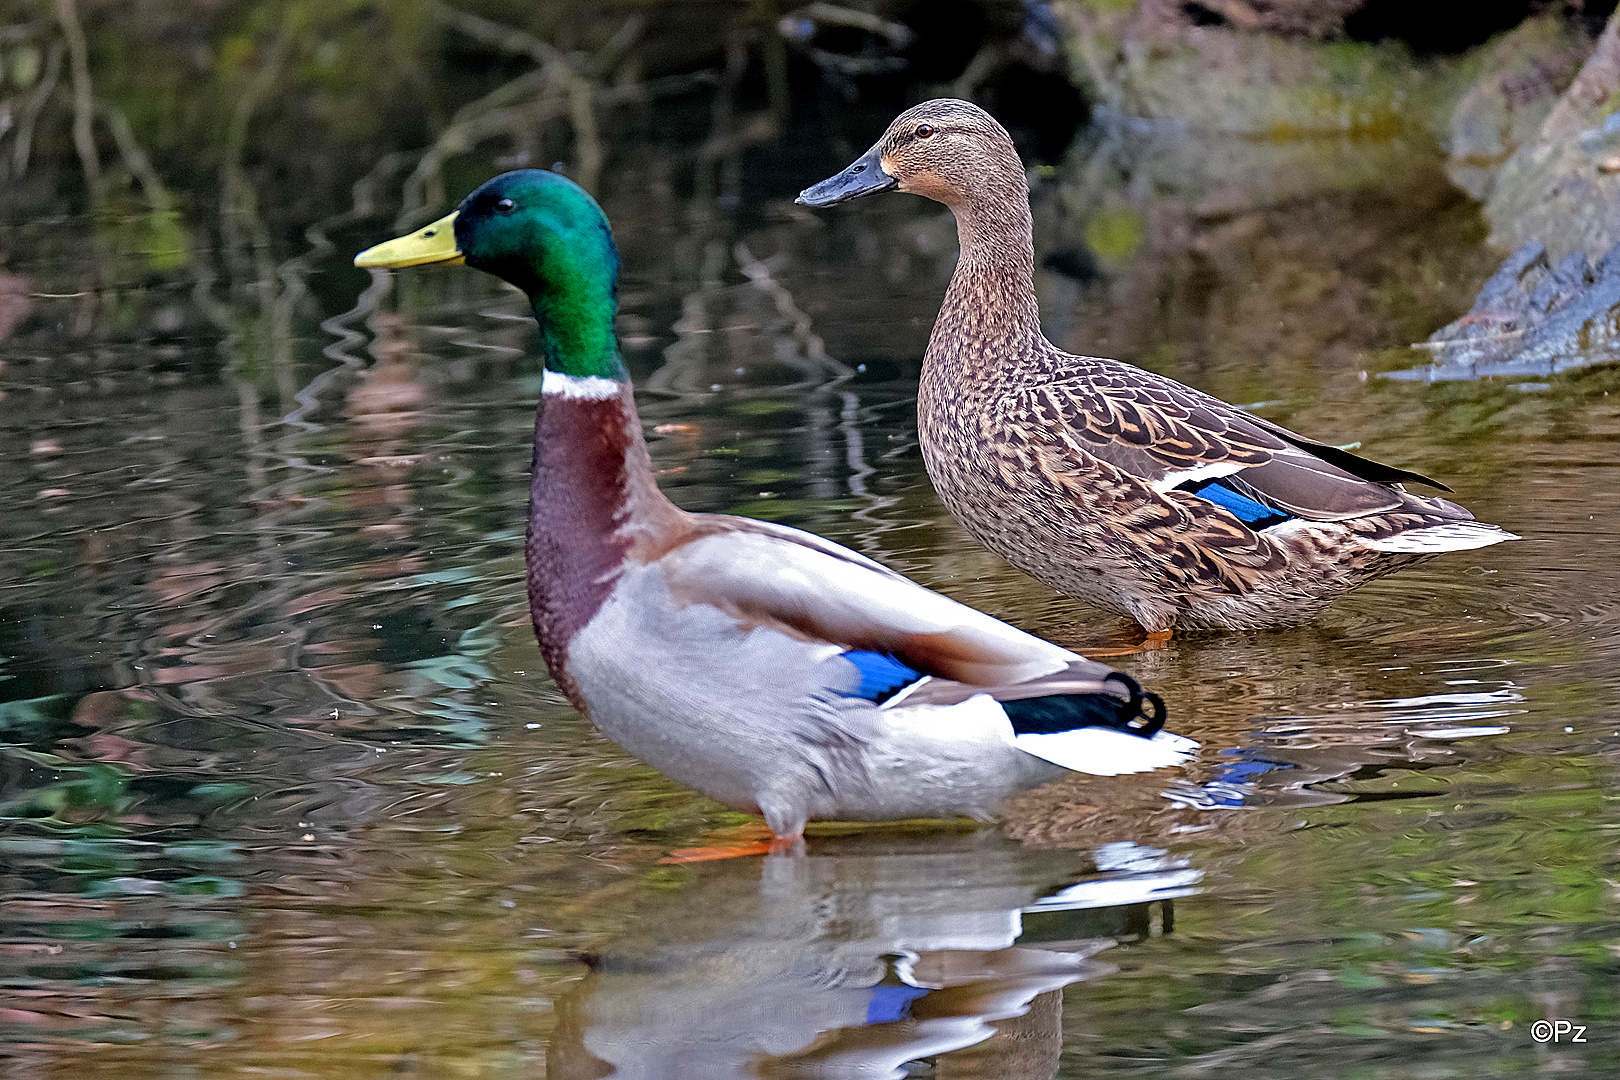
pixel 989 321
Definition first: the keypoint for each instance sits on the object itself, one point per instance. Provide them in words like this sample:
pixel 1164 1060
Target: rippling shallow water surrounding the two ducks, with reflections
pixel 284 789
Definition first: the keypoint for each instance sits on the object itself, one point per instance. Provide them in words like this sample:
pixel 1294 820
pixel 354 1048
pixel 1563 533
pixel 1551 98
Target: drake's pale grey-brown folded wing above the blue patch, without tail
pixel 765 574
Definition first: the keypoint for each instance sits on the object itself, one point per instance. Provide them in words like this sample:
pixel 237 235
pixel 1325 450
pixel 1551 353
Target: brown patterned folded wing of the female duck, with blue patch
pixel 1175 438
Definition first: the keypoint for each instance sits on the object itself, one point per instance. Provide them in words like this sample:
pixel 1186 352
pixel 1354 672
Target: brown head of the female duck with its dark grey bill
pixel 945 150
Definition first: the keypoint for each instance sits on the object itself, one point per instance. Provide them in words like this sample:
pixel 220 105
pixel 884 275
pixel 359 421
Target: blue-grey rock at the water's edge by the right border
pixel 1533 318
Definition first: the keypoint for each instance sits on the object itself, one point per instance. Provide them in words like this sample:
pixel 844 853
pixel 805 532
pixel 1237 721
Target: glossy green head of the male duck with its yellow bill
pixel 548 237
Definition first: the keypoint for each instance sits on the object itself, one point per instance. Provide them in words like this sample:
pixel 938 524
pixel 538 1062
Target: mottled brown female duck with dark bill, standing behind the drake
pixel 1112 483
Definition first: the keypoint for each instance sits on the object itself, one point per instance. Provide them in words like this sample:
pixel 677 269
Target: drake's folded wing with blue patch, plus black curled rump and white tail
pixel 910 645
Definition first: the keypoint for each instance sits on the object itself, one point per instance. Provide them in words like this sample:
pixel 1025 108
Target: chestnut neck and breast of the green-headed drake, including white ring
pixel 594 503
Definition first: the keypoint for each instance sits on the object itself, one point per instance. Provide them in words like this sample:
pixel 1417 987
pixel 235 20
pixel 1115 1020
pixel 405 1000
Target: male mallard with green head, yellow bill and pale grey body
pixel 764 666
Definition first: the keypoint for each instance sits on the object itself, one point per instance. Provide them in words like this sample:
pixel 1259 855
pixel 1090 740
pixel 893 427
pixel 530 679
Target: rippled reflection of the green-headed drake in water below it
pixel 863 958
